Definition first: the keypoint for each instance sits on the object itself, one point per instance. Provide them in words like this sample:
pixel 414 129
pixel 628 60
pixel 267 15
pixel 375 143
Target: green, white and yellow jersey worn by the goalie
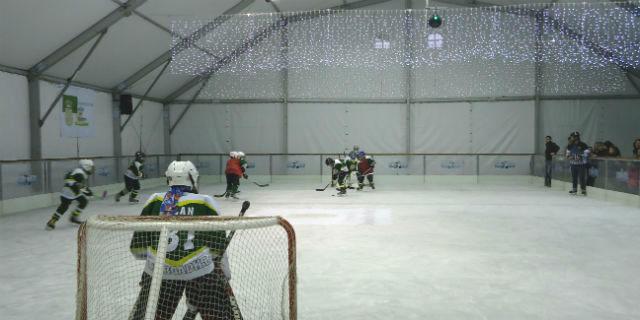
pixel 189 254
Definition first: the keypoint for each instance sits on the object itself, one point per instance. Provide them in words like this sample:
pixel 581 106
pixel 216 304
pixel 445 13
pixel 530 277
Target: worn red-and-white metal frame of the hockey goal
pixel 163 224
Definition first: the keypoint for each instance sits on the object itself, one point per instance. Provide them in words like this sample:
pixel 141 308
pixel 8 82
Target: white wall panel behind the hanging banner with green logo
pixel 55 146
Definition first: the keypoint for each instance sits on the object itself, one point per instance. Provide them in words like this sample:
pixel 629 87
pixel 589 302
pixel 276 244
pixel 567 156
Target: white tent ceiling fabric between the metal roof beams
pixel 31 30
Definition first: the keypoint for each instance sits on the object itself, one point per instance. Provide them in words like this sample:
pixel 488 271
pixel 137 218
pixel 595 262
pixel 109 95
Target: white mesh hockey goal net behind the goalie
pixel 186 268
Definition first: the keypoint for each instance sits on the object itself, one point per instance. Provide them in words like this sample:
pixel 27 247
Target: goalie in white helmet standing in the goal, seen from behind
pixel 192 264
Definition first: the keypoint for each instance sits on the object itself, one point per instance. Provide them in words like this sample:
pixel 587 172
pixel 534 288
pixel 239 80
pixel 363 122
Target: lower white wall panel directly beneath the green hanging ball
pixel 441 128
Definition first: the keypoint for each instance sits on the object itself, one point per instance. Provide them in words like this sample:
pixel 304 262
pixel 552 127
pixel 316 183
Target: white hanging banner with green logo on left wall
pixel 76 120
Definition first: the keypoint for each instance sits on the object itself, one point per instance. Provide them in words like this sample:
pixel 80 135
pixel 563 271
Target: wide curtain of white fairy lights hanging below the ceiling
pixel 368 46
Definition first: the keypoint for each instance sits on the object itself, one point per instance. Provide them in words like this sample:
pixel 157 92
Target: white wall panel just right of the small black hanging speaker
pixel 145 128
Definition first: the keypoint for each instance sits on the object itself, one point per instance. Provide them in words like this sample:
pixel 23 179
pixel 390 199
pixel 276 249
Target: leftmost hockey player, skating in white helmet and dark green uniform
pixel 76 188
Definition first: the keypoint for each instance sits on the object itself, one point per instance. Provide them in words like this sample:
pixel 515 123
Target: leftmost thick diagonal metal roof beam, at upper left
pixel 86 35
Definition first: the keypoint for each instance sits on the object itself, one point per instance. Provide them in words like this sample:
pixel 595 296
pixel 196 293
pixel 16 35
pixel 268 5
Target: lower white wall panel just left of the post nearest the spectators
pixel 503 127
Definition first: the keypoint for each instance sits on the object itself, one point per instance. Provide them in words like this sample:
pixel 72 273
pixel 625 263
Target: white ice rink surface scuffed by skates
pixel 397 252
